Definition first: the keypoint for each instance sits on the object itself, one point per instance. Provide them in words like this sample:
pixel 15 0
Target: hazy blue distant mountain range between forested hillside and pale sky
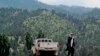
pixel 34 4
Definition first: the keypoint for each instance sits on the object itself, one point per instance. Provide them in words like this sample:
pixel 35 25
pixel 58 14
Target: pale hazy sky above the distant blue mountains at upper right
pixel 86 3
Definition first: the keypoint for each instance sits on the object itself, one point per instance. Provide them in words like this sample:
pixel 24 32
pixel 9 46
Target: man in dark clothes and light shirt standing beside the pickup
pixel 70 45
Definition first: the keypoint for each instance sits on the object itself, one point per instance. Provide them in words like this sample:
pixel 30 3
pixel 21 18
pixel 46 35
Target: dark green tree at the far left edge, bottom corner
pixel 4 45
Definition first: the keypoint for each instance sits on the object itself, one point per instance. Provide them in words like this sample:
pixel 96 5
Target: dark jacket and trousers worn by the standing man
pixel 70 48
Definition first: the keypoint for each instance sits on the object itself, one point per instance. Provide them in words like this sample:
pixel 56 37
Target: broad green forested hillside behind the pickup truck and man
pixel 55 25
